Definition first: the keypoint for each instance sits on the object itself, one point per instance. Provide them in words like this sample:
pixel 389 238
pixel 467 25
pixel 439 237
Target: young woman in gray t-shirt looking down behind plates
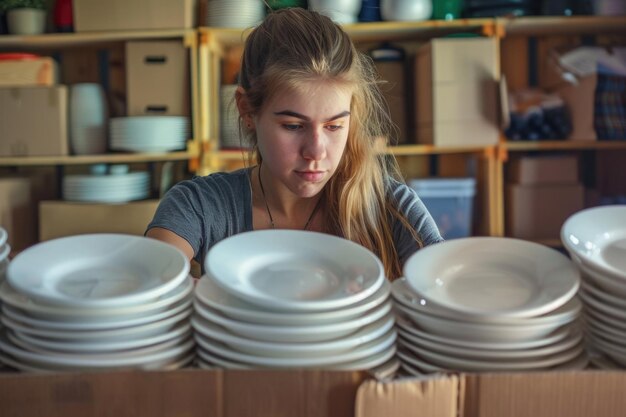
pixel 309 103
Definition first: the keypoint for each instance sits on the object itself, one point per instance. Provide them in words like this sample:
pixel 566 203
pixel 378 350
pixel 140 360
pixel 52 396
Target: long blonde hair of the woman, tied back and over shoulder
pixel 295 45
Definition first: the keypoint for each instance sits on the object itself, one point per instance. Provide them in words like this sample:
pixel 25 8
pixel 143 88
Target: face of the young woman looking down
pixel 302 134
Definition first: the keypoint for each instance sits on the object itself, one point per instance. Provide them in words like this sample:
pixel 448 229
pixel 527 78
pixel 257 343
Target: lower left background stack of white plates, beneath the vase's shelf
pixel 111 188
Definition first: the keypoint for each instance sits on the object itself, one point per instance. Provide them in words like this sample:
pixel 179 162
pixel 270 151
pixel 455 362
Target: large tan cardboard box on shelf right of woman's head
pixel 456 91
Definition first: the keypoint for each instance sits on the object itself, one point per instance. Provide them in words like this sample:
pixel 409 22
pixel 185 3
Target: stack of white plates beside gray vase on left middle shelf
pixel 149 133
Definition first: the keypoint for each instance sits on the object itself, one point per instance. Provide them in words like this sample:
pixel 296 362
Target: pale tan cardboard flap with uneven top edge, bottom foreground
pixel 436 396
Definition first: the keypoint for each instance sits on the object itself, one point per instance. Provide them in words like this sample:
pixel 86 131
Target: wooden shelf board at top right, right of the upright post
pixel 561 25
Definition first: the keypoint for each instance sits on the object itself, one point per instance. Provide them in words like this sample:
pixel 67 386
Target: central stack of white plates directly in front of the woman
pixel 294 299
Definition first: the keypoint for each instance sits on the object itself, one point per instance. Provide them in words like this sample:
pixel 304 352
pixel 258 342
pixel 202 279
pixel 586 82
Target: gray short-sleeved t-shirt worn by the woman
pixel 205 210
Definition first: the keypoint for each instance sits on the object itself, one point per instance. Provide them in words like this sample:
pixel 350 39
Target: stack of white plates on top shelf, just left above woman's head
pixel 230 14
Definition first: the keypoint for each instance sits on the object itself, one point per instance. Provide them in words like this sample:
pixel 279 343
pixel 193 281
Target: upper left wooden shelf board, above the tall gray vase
pixel 54 40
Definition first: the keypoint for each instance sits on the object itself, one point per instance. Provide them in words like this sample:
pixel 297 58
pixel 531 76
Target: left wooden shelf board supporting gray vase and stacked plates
pixel 96 159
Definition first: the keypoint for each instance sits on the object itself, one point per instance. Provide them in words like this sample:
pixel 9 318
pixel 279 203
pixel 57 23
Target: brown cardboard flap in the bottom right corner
pixel 545 394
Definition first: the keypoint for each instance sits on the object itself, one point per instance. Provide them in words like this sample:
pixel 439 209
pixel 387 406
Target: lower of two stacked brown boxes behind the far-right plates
pixel 538 211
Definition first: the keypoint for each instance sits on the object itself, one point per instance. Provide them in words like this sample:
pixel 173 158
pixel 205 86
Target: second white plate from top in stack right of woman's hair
pixel 479 332
